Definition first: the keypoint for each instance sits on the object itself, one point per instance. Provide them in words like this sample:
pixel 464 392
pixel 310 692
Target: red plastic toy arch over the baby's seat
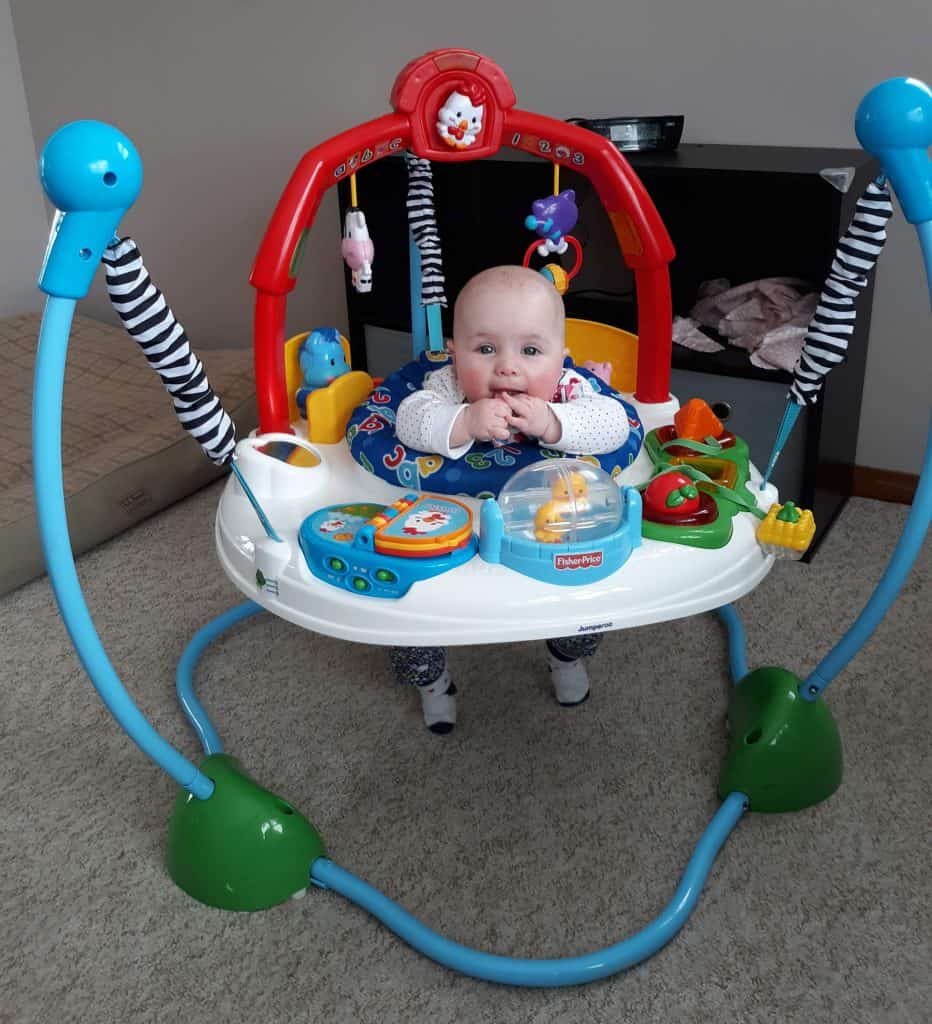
pixel 416 97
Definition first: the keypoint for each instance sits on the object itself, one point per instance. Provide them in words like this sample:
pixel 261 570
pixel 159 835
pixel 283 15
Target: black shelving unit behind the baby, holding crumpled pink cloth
pixel 736 212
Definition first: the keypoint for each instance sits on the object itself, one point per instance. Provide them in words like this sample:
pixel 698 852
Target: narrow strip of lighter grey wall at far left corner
pixel 23 221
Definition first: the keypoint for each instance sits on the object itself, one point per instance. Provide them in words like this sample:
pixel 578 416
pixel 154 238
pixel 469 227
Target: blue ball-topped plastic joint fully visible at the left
pixel 93 175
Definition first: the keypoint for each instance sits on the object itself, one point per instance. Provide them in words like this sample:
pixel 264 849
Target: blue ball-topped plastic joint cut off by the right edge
pixel 895 123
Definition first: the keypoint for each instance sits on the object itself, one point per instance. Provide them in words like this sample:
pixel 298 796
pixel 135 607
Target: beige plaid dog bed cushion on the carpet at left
pixel 124 454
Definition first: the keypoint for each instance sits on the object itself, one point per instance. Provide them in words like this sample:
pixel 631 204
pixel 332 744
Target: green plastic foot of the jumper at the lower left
pixel 242 849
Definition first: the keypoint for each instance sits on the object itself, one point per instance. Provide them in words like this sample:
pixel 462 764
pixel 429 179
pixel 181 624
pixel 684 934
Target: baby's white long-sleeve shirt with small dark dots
pixel 591 423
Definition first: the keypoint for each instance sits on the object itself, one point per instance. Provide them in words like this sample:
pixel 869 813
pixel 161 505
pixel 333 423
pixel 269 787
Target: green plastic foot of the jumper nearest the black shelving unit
pixel 785 753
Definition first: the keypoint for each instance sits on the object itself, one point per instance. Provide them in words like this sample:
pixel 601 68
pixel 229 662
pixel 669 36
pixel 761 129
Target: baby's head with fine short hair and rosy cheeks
pixel 509 334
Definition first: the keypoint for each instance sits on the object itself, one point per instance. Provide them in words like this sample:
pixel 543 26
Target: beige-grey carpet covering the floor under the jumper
pixel 533 831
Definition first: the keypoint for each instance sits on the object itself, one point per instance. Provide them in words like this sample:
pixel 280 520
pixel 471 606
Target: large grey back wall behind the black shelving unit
pixel 224 97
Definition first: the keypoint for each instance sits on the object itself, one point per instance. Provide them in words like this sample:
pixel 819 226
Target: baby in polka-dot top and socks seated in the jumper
pixel 506 381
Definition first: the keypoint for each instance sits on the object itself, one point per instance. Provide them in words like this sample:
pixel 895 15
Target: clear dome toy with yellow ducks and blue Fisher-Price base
pixel 562 521
